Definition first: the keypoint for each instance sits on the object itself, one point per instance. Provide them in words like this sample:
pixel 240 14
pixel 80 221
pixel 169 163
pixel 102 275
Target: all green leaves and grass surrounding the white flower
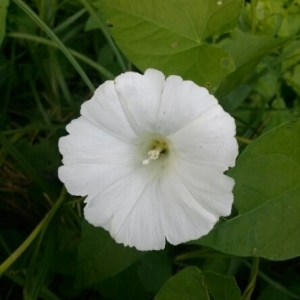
pixel 53 55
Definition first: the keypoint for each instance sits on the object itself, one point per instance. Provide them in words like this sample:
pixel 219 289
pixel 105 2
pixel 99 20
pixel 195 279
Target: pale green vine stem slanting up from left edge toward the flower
pixel 14 256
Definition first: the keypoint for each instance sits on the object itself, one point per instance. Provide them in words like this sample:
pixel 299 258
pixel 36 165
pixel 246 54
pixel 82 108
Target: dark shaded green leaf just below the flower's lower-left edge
pixel 100 257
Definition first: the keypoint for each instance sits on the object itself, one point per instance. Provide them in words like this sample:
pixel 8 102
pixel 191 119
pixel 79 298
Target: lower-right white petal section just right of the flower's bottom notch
pixel 183 218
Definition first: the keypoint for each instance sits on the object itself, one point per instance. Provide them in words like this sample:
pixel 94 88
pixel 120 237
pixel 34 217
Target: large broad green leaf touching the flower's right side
pixel 267 189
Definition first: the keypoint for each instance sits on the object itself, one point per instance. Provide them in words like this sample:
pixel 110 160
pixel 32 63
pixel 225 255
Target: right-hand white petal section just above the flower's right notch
pixel 209 139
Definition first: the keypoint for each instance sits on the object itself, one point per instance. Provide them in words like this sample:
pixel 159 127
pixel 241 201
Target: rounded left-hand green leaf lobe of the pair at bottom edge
pixel 188 284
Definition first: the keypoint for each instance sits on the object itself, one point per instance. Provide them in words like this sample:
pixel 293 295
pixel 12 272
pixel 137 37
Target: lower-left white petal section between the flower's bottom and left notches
pixel 129 210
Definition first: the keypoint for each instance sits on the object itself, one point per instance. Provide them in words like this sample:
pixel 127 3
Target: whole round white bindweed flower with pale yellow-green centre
pixel 149 153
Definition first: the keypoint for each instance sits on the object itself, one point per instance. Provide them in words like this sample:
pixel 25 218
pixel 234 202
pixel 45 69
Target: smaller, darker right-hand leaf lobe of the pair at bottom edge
pixel 222 287
